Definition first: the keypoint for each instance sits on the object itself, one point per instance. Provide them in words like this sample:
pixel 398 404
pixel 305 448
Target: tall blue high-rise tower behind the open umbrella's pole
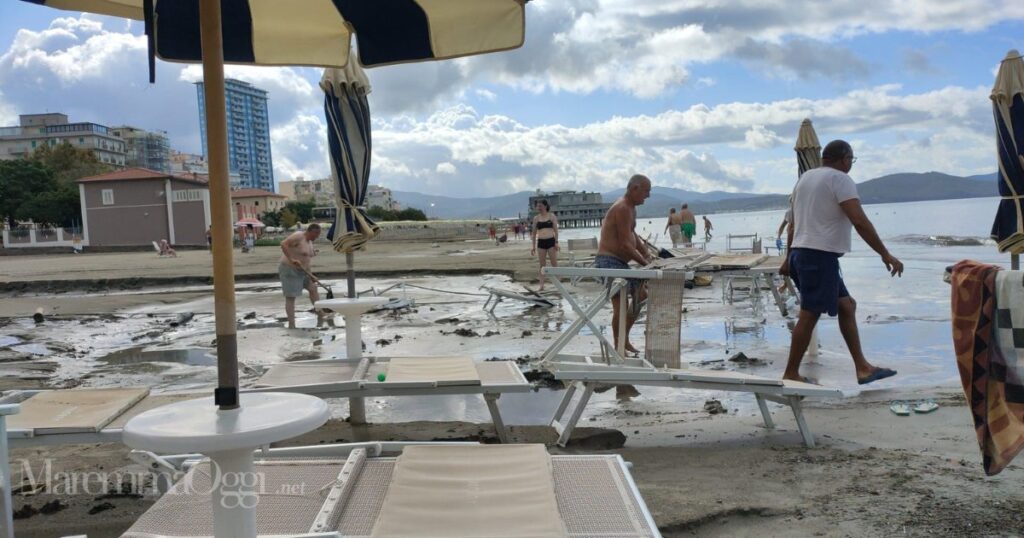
pixel 248 134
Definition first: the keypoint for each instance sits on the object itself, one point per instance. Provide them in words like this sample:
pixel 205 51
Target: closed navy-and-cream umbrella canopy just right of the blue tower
pixel 350 143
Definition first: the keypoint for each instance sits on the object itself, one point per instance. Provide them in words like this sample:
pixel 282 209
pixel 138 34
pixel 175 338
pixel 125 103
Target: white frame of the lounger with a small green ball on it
pixel 364 385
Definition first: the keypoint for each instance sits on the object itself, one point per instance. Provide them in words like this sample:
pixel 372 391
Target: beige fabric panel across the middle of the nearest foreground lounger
pixel 477 491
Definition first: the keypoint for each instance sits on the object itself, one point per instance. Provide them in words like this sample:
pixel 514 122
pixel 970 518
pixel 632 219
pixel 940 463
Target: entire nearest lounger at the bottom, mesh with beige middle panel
pixel 451 490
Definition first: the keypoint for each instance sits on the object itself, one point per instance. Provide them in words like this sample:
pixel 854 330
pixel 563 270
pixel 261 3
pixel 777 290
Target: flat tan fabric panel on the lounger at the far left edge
pixel 81 410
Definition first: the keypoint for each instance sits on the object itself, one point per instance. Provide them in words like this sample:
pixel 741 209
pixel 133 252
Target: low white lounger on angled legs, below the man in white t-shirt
pixel 584 375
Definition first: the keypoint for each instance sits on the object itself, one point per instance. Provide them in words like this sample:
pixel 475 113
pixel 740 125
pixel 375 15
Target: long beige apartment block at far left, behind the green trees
pixel 35 131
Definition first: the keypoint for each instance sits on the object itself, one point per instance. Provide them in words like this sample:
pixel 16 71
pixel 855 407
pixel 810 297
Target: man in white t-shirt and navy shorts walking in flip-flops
pixel 826 209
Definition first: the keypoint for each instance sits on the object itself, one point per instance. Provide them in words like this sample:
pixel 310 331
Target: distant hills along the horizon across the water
pixel 888 189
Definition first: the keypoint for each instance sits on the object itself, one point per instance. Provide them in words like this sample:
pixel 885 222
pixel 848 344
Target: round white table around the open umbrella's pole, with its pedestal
pixel 229 438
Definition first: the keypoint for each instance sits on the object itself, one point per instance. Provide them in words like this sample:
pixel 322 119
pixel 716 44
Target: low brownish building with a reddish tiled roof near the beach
pixel 137 206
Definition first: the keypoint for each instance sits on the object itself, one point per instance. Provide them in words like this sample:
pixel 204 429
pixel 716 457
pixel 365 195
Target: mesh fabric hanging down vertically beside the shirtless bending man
pixel 665 315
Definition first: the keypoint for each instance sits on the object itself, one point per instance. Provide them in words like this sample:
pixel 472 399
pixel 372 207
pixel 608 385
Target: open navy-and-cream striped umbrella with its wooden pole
pixel 279 33
